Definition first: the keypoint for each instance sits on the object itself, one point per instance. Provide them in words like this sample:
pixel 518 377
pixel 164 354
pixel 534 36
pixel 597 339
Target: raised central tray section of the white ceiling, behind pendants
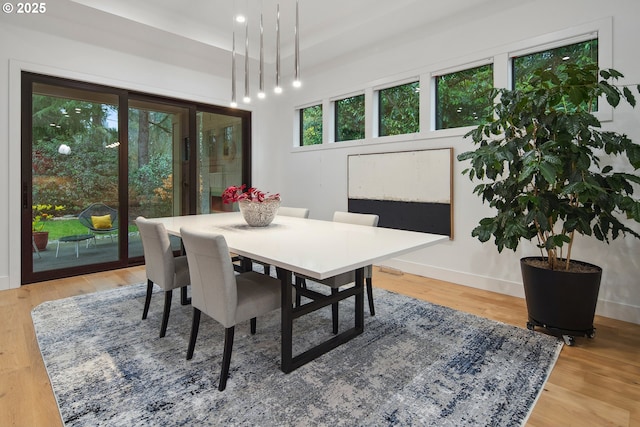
pixel 328 28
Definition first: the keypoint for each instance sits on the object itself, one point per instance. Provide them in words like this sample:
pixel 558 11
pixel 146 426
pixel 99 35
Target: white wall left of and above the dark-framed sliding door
pixel 22 49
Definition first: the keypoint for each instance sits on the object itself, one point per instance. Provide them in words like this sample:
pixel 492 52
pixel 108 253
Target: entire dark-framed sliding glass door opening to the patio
pixel 95 158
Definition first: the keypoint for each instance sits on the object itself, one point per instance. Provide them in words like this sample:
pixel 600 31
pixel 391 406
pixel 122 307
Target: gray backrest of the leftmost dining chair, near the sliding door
pixel 158 255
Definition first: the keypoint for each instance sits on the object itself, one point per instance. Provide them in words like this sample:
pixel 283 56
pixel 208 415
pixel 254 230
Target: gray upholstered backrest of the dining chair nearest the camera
pixel 213 282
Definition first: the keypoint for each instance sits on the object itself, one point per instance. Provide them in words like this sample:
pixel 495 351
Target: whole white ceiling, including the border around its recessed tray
pixel 198 33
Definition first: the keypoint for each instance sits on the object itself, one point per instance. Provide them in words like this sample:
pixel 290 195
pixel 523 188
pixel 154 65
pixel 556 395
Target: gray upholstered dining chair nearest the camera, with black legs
pixel 222 295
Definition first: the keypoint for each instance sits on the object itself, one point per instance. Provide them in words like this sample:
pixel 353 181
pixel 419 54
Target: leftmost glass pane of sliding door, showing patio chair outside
pixel 74 164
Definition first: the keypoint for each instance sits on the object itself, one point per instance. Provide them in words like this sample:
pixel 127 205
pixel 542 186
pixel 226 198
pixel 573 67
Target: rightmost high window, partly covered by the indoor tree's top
pixel 582 53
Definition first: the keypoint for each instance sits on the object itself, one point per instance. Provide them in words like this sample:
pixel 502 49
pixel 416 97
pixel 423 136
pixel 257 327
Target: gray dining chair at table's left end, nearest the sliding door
pixel 161 266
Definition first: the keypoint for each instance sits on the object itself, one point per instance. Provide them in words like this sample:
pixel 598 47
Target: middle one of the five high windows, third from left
pixel 399 109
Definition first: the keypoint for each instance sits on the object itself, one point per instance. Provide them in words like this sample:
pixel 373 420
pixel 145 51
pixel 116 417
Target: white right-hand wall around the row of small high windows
pixel 315 177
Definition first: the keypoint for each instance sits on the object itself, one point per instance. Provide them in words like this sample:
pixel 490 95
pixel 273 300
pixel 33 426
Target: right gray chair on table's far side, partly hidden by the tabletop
pixel 349 277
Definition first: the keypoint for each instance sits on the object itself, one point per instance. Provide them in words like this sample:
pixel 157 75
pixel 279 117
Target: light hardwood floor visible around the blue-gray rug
pixel 594 383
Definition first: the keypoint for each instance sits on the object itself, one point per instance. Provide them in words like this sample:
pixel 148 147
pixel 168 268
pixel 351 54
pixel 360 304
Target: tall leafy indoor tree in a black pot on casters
pixel 550 172
